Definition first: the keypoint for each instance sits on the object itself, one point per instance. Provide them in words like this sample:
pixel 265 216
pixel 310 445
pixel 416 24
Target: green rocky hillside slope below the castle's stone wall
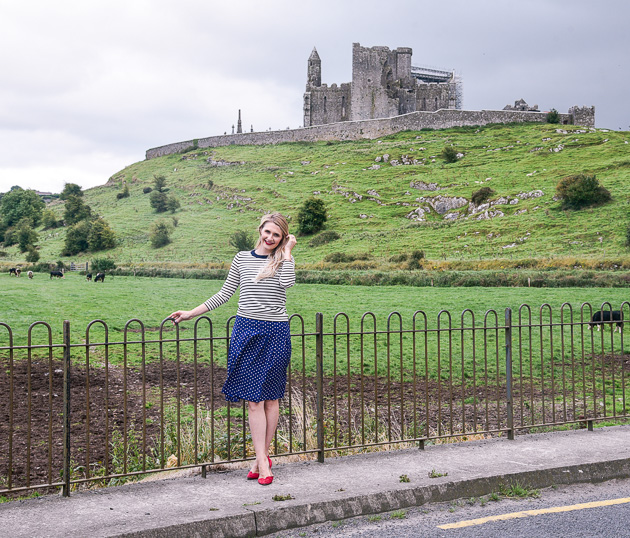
pixel 369 202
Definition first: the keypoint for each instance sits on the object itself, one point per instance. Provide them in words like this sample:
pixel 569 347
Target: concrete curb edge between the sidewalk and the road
pixel 262 522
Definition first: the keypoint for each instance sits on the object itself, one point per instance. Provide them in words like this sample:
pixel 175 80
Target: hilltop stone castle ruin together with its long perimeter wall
pixel 387 95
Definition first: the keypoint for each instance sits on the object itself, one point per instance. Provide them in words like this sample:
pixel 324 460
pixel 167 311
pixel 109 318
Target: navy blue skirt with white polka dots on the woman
pixel 258 358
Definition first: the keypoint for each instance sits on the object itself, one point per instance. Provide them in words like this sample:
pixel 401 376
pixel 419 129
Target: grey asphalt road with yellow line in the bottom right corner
pixel 609 521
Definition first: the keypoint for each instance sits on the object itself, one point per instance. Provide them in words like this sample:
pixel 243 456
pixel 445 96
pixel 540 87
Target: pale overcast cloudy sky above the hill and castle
pixel 87 87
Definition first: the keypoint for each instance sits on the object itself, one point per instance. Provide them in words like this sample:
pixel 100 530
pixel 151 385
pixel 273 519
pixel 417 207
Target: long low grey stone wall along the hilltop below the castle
pixel 369 129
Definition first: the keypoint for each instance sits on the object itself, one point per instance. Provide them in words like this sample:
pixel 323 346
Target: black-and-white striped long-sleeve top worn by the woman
pixel 265 299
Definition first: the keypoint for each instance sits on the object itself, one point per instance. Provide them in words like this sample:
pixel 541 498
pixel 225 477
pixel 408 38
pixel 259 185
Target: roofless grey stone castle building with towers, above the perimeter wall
pixel 384 84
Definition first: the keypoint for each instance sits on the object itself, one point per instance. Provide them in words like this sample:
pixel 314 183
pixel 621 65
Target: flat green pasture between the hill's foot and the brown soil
pixel 151 300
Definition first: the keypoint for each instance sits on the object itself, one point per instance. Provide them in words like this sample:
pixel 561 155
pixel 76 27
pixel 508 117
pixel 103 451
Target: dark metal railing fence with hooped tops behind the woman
pixel 102 409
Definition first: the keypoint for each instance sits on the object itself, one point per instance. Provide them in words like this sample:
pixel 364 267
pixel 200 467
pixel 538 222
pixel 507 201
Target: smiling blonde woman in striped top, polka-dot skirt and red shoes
pixel 260 347
